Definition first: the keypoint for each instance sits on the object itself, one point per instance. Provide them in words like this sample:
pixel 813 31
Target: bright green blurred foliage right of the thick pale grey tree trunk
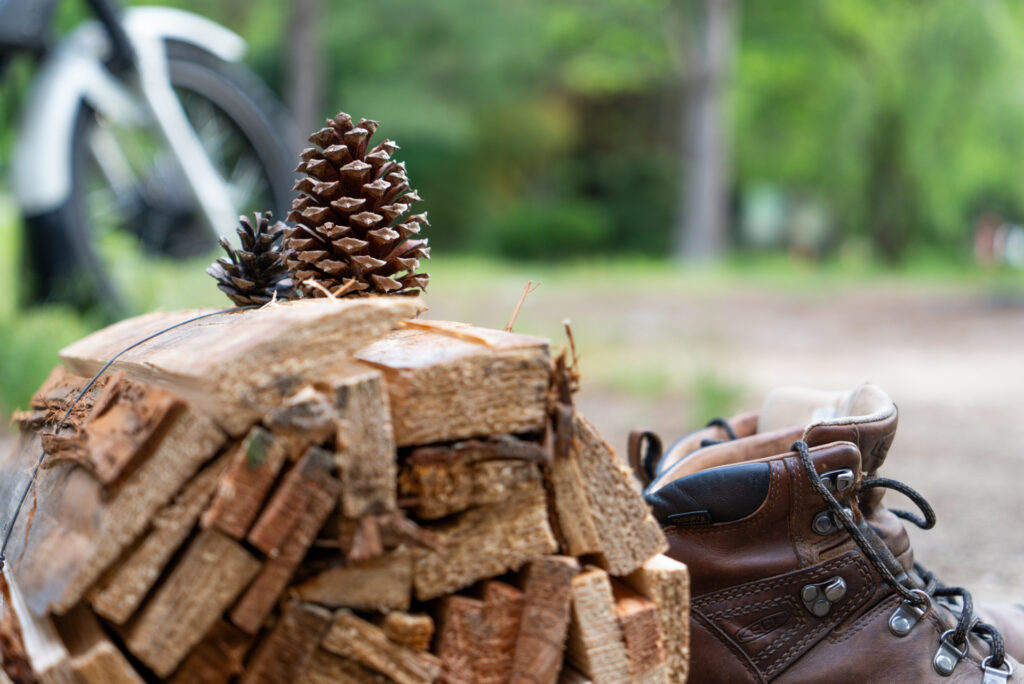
pixel 904 117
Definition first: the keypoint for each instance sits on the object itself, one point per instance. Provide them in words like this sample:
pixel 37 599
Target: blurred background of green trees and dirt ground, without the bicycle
pixel 723 197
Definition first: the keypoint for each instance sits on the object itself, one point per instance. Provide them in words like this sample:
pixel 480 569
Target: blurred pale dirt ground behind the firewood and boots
pixel 954 361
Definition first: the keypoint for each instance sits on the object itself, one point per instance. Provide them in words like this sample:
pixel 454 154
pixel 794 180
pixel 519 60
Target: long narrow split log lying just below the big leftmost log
pixel 118 595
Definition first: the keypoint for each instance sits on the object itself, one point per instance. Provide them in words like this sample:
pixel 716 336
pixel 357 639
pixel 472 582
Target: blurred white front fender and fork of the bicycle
pixel 74 74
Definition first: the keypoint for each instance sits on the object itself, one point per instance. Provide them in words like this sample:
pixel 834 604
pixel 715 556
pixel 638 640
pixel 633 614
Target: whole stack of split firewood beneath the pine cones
pixel 328 491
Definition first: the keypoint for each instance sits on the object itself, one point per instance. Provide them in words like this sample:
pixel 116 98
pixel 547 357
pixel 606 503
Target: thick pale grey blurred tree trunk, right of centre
pixel 702 215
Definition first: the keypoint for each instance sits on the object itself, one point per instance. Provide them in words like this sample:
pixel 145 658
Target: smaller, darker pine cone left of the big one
pixel 255 274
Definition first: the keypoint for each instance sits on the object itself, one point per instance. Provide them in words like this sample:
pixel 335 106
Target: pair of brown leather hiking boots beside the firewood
pixel 798 572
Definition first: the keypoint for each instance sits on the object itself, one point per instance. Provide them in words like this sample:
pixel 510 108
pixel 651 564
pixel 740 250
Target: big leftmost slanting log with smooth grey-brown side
pixel 76 530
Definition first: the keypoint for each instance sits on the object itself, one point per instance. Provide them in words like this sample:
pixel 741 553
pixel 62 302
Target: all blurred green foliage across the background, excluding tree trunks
pixel 533 124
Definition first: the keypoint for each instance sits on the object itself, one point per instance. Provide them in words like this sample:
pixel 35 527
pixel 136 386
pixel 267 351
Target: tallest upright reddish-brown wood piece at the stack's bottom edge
pixel 547 601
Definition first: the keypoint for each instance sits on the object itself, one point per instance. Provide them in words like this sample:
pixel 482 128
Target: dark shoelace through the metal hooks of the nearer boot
pixel 966 623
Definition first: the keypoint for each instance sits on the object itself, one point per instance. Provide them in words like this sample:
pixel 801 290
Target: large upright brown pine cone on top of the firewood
pixel 353 233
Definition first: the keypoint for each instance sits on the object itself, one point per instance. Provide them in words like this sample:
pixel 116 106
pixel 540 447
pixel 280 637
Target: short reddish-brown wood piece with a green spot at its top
pixel 254 466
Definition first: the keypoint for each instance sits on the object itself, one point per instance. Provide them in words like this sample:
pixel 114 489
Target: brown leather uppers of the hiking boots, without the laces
pixel 750 620
